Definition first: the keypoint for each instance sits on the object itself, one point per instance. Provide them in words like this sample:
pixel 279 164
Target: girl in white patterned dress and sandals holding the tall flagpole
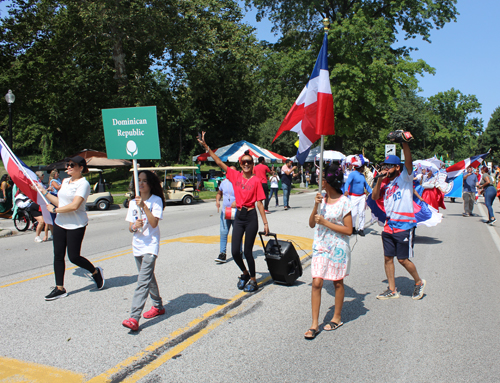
pixel 331 216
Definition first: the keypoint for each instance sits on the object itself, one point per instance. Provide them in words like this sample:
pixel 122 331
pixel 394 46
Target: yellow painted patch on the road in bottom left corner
pixel 12 370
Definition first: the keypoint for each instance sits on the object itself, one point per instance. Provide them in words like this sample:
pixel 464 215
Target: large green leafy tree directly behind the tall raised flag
pixel 367 71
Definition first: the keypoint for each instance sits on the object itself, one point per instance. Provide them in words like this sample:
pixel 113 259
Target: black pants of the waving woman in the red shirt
pixel 245 222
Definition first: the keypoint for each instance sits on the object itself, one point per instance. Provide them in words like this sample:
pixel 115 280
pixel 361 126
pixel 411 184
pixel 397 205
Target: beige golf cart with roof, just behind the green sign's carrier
pixel 177 187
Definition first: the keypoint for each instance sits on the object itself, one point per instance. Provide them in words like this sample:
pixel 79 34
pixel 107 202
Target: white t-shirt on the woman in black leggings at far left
pixel 78 218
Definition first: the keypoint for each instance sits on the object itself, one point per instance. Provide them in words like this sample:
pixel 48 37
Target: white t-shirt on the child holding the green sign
pixel 147 242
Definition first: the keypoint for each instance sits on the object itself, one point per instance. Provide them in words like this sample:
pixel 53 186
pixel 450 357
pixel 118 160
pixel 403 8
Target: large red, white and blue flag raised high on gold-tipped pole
pixel 311 116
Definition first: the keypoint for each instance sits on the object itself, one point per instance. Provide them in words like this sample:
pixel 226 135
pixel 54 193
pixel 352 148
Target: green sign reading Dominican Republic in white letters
pixel 131 133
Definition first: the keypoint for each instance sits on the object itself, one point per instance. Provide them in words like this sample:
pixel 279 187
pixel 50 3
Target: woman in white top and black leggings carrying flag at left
pixel 70 224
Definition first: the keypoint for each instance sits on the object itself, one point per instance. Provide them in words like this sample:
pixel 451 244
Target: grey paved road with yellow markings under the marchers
pixel 214 333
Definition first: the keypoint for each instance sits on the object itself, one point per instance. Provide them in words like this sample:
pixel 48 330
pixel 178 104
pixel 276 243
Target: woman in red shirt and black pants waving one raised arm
pixel 247 191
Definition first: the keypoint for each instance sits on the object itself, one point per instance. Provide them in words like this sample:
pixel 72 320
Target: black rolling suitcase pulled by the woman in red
pixel 282 260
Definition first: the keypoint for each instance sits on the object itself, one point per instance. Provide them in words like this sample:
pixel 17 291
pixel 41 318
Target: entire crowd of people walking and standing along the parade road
pixel 396 188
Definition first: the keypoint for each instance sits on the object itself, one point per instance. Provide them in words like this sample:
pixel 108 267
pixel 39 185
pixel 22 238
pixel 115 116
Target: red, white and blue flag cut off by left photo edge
pixel 22 176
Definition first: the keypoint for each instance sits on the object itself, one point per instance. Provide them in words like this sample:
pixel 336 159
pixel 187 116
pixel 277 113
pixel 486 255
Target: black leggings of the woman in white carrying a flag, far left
pixel 71 240
